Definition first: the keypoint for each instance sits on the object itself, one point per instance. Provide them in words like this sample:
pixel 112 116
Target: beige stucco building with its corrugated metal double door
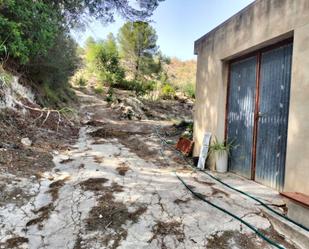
pixel 253 86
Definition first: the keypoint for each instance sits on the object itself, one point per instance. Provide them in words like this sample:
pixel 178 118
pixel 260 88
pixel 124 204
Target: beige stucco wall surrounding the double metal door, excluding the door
pixel 263 23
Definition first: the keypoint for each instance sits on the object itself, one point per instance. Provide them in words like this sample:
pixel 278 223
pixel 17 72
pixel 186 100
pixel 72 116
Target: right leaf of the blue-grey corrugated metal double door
pixel 275 77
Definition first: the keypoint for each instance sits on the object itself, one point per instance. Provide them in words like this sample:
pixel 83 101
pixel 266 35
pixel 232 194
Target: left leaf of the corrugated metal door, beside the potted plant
pixel 242 88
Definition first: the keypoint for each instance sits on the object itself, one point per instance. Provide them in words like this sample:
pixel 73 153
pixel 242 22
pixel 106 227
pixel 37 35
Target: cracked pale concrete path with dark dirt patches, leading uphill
pixel 116 188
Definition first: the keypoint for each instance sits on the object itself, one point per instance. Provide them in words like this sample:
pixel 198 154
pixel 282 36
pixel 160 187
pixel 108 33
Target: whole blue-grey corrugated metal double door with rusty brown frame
pixel 258 104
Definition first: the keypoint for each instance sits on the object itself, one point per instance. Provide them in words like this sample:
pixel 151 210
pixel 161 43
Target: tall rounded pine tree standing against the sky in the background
pixel 138 48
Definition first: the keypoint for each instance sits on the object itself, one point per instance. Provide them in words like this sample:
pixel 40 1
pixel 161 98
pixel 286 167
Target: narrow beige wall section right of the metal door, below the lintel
pixel 297 161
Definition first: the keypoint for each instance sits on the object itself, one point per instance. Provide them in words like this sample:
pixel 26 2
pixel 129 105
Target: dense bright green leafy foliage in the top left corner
pixel 27 28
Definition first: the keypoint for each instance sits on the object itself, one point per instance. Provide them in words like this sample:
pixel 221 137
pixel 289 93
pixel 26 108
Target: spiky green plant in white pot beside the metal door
pixel 220 151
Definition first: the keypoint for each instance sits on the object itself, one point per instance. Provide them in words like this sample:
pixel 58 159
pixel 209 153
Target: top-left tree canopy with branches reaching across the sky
pixel 29 27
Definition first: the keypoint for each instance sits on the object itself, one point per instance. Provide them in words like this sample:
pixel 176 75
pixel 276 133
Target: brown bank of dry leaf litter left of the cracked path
pixel 23 161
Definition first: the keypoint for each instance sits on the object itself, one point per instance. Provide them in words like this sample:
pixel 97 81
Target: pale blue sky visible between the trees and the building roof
pixel 178 23
